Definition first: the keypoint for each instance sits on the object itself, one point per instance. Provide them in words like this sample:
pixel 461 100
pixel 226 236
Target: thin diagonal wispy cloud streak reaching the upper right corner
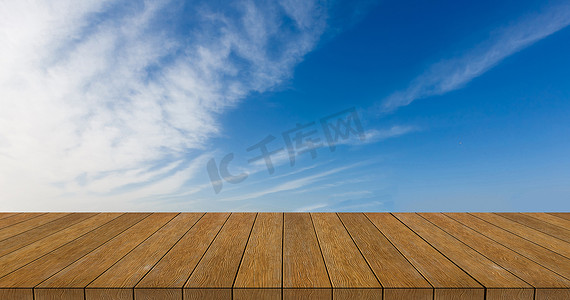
pixel 452 74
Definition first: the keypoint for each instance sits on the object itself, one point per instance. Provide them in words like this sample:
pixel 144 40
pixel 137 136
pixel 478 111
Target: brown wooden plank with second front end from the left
pixel 83 271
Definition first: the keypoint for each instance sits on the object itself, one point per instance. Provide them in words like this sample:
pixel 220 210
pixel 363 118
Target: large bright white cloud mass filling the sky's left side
pixel 94 94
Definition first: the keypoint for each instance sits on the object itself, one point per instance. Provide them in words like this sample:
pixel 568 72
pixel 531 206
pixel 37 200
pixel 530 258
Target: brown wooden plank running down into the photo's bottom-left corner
pixel 40 269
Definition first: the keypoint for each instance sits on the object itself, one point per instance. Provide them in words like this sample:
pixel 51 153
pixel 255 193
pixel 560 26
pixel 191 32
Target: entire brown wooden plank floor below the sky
pixel 291 256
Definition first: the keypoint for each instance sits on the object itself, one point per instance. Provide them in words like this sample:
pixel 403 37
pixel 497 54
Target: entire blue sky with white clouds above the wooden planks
pixel 112 106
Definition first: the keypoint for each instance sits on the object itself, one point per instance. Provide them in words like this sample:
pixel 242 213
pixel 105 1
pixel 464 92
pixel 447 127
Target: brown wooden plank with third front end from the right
pixel 447 279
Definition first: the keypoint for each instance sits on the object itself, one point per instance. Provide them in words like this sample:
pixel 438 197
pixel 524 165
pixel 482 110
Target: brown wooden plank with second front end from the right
pixel 498 282
